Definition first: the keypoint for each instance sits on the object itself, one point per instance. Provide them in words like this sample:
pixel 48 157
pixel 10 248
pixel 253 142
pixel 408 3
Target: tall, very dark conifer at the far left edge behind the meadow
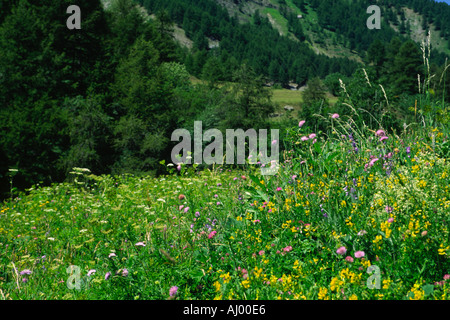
pixel 43 62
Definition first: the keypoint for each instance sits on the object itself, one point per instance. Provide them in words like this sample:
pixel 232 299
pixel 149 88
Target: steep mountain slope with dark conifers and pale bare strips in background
pixel 295 40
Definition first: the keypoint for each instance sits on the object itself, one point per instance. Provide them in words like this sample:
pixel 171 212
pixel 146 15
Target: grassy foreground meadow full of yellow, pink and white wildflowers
pixel 309 232
